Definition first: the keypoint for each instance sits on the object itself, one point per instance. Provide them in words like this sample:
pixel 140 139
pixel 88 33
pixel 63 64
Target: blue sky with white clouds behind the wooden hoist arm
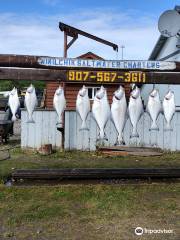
pixel 31 27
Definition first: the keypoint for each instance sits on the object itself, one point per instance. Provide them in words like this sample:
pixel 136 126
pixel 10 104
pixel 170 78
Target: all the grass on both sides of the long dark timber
pixel 87 212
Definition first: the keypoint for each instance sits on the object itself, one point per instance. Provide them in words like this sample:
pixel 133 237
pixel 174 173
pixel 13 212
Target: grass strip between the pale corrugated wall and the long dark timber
pixel 76 159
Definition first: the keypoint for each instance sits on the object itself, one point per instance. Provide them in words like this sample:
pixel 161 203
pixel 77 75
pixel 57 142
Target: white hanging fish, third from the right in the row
pixel 135 110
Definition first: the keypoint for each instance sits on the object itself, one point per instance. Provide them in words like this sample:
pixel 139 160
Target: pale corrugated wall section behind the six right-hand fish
pixel 87 140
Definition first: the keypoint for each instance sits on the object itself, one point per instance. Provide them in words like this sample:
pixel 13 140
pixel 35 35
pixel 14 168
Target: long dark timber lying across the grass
pixel 95 173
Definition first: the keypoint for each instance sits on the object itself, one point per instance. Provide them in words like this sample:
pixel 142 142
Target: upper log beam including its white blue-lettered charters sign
pixel 43 62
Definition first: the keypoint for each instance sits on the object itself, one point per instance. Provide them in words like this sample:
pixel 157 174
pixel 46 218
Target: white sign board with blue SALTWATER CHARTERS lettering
pixel 103 64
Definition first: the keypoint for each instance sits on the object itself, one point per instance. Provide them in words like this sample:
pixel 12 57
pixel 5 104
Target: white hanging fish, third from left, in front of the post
pixel 59 103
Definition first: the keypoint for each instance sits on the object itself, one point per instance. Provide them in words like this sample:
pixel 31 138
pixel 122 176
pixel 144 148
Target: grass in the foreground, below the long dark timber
pixel 88 212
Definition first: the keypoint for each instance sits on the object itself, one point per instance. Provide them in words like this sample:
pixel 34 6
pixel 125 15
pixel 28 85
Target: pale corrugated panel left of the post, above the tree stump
pixel 43 131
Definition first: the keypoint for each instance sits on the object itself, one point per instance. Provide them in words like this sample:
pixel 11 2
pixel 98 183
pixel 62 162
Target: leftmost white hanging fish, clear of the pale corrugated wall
pixel 13 103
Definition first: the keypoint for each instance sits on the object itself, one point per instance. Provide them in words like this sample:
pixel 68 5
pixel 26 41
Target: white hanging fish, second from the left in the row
pixel 30 102
